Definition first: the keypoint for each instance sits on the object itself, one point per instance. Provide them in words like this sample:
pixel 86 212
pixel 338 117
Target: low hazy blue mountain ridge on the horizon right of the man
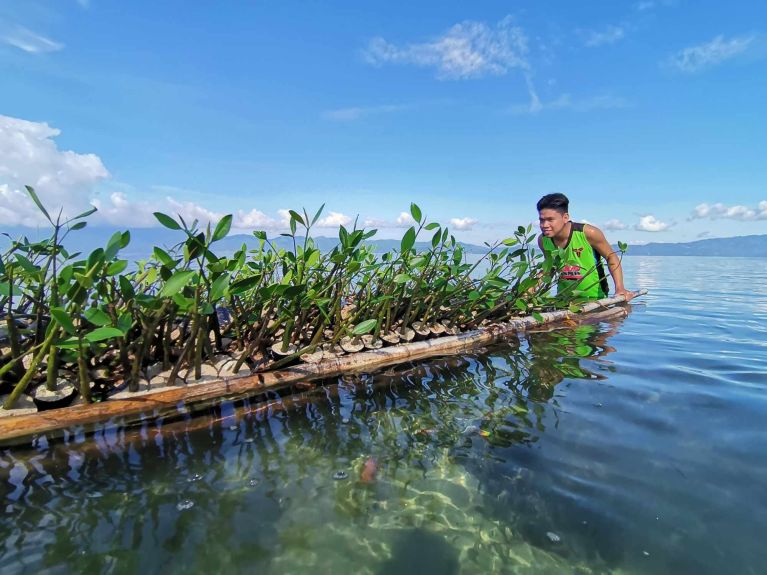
pixel 739 246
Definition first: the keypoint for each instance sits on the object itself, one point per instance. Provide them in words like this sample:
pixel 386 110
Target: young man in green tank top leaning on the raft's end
pixel 584 247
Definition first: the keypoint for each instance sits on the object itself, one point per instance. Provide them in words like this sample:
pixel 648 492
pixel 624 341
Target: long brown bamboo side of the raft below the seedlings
pixel 21 429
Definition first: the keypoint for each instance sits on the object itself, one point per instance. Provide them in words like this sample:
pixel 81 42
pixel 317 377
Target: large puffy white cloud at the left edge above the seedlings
pixel 63 179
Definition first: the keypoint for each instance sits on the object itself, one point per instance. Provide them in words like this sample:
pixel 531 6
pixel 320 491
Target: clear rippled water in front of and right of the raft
pixel 630 447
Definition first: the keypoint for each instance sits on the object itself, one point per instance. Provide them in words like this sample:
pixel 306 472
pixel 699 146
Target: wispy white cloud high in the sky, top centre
pixel 467 50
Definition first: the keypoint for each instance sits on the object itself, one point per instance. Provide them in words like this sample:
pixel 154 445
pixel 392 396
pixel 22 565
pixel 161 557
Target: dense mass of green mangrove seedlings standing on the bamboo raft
pixel 97 323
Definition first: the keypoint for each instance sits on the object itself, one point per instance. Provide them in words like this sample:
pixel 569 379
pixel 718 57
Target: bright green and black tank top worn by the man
pixel 580 273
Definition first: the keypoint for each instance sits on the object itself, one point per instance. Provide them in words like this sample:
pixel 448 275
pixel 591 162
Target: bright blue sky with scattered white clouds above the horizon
pixel 650 115
